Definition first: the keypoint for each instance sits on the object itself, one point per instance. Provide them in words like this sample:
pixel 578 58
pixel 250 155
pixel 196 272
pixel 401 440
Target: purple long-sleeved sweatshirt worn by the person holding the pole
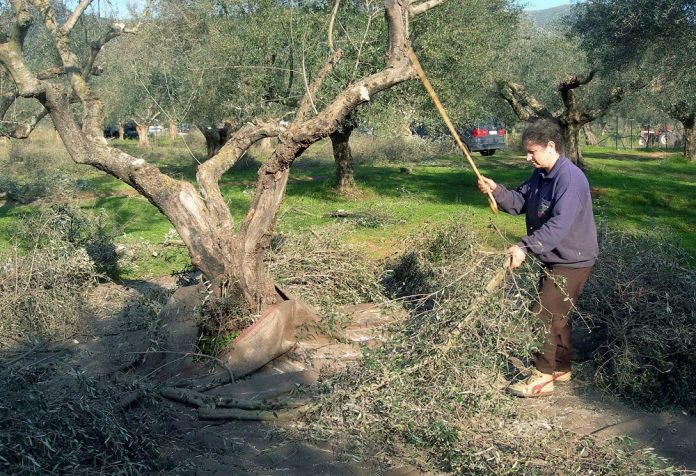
pixel 560 226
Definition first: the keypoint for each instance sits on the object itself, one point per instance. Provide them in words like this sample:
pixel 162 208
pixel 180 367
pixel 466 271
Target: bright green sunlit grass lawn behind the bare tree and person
pixel 635 190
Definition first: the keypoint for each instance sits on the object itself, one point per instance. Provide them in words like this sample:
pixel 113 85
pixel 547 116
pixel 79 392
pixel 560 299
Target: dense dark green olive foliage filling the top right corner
pixel 657 40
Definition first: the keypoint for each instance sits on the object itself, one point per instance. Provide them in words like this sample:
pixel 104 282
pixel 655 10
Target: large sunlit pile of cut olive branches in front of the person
pixel 433 393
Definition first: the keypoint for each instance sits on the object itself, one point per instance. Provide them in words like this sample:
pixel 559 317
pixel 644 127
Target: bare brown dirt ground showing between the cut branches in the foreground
pixel 120 333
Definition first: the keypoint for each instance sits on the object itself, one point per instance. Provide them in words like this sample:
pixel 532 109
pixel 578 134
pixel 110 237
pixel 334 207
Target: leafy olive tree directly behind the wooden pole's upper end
pixel 460 45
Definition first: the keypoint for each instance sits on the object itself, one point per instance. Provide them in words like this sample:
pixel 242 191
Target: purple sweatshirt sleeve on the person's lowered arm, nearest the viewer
pixel 564 212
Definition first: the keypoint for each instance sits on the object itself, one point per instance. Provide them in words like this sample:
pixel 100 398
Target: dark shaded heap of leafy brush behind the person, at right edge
pixel 641 299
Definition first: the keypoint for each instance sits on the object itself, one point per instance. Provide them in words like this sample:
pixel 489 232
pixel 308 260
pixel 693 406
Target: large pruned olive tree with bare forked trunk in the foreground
pixel 231 258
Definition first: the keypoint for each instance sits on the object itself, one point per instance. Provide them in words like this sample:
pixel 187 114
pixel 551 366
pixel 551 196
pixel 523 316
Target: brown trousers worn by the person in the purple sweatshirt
pixel 558 291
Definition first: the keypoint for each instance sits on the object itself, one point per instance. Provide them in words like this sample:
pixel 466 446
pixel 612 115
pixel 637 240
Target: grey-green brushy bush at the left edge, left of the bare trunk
pixel 44 280
